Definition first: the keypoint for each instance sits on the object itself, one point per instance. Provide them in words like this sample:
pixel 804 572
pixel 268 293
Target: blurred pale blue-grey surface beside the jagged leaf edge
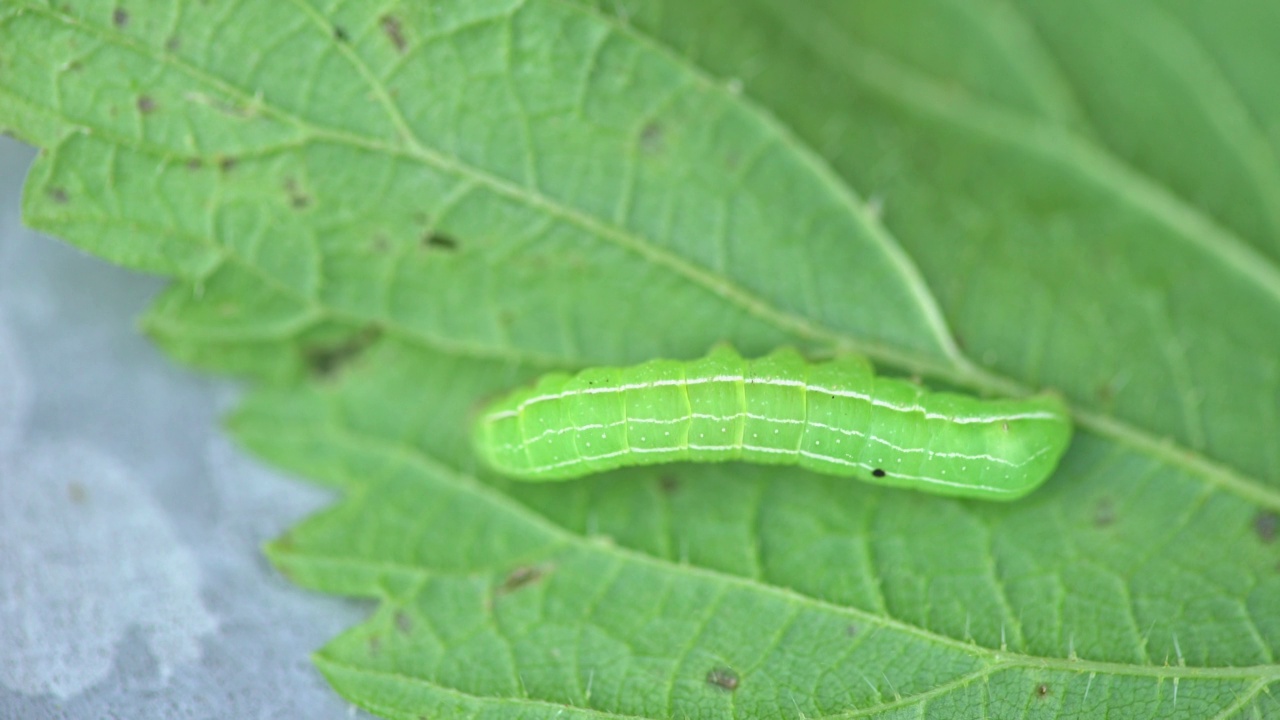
pixel 131 578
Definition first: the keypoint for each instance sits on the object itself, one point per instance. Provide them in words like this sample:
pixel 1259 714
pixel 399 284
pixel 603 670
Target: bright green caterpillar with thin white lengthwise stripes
pixel 835 418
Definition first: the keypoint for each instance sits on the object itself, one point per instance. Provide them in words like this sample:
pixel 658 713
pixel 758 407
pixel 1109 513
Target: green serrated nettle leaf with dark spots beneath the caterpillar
pixel 390 213
